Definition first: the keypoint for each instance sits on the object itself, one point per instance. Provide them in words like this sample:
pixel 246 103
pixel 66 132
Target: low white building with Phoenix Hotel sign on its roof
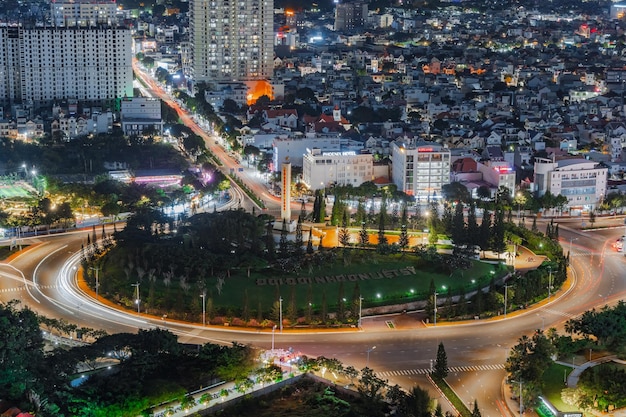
pixel 322 168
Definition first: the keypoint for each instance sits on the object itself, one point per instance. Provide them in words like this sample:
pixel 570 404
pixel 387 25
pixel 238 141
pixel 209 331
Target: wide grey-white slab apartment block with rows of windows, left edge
pixel 44 65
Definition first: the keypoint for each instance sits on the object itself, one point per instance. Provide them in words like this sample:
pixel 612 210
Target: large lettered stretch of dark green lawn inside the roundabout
pixel 265 287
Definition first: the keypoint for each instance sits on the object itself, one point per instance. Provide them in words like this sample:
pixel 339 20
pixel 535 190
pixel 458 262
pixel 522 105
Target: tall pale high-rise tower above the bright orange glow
pixel 231 39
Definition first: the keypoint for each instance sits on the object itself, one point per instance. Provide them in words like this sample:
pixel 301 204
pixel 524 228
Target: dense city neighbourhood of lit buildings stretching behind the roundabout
pixel 528 99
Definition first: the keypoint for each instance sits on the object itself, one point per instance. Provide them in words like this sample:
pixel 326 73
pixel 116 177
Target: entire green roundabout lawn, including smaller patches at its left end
pixel 381 280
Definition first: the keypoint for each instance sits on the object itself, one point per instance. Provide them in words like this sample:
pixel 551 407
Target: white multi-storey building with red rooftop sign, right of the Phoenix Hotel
pixel 420 169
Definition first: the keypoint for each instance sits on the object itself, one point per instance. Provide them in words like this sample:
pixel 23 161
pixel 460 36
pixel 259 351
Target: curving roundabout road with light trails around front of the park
pixel 476 351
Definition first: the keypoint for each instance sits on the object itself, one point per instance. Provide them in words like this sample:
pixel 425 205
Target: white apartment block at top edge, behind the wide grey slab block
pixel 83 12
